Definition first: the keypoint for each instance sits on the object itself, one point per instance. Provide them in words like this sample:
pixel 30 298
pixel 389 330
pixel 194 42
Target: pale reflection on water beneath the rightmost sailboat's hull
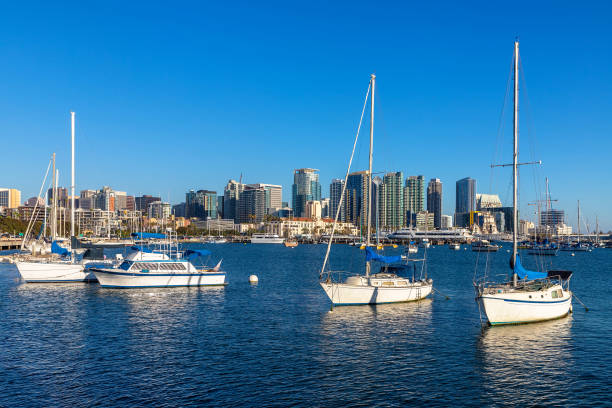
pixel 527 358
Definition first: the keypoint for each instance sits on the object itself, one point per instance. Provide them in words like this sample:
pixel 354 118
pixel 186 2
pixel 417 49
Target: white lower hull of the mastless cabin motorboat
pixel 123 279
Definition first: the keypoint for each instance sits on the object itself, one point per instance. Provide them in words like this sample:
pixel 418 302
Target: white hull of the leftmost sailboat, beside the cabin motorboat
pixel 53 272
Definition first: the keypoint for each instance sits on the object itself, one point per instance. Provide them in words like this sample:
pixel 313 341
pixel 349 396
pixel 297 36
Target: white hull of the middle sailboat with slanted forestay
pixel 345 294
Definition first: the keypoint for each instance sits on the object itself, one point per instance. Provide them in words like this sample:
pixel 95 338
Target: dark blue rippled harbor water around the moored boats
pixel 278 343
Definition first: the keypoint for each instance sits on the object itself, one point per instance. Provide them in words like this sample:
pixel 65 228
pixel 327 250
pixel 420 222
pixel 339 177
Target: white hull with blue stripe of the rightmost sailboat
pixel 525 307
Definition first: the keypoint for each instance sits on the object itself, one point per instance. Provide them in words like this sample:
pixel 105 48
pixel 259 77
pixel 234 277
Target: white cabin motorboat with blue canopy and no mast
pixel 144 268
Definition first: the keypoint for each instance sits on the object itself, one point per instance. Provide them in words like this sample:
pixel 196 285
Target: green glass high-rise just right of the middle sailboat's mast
pixel 391 209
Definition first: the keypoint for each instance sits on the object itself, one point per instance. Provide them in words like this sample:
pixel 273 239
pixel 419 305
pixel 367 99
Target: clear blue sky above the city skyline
pixel 177 95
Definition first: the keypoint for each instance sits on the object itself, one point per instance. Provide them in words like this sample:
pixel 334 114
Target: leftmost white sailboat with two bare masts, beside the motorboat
pixel 62 266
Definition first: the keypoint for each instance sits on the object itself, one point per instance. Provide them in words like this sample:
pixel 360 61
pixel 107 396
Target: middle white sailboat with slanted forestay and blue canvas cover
pixel 385 286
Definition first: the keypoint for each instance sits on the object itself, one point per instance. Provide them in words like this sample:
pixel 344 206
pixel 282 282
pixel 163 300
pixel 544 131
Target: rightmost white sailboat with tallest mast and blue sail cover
pixel 529 296
